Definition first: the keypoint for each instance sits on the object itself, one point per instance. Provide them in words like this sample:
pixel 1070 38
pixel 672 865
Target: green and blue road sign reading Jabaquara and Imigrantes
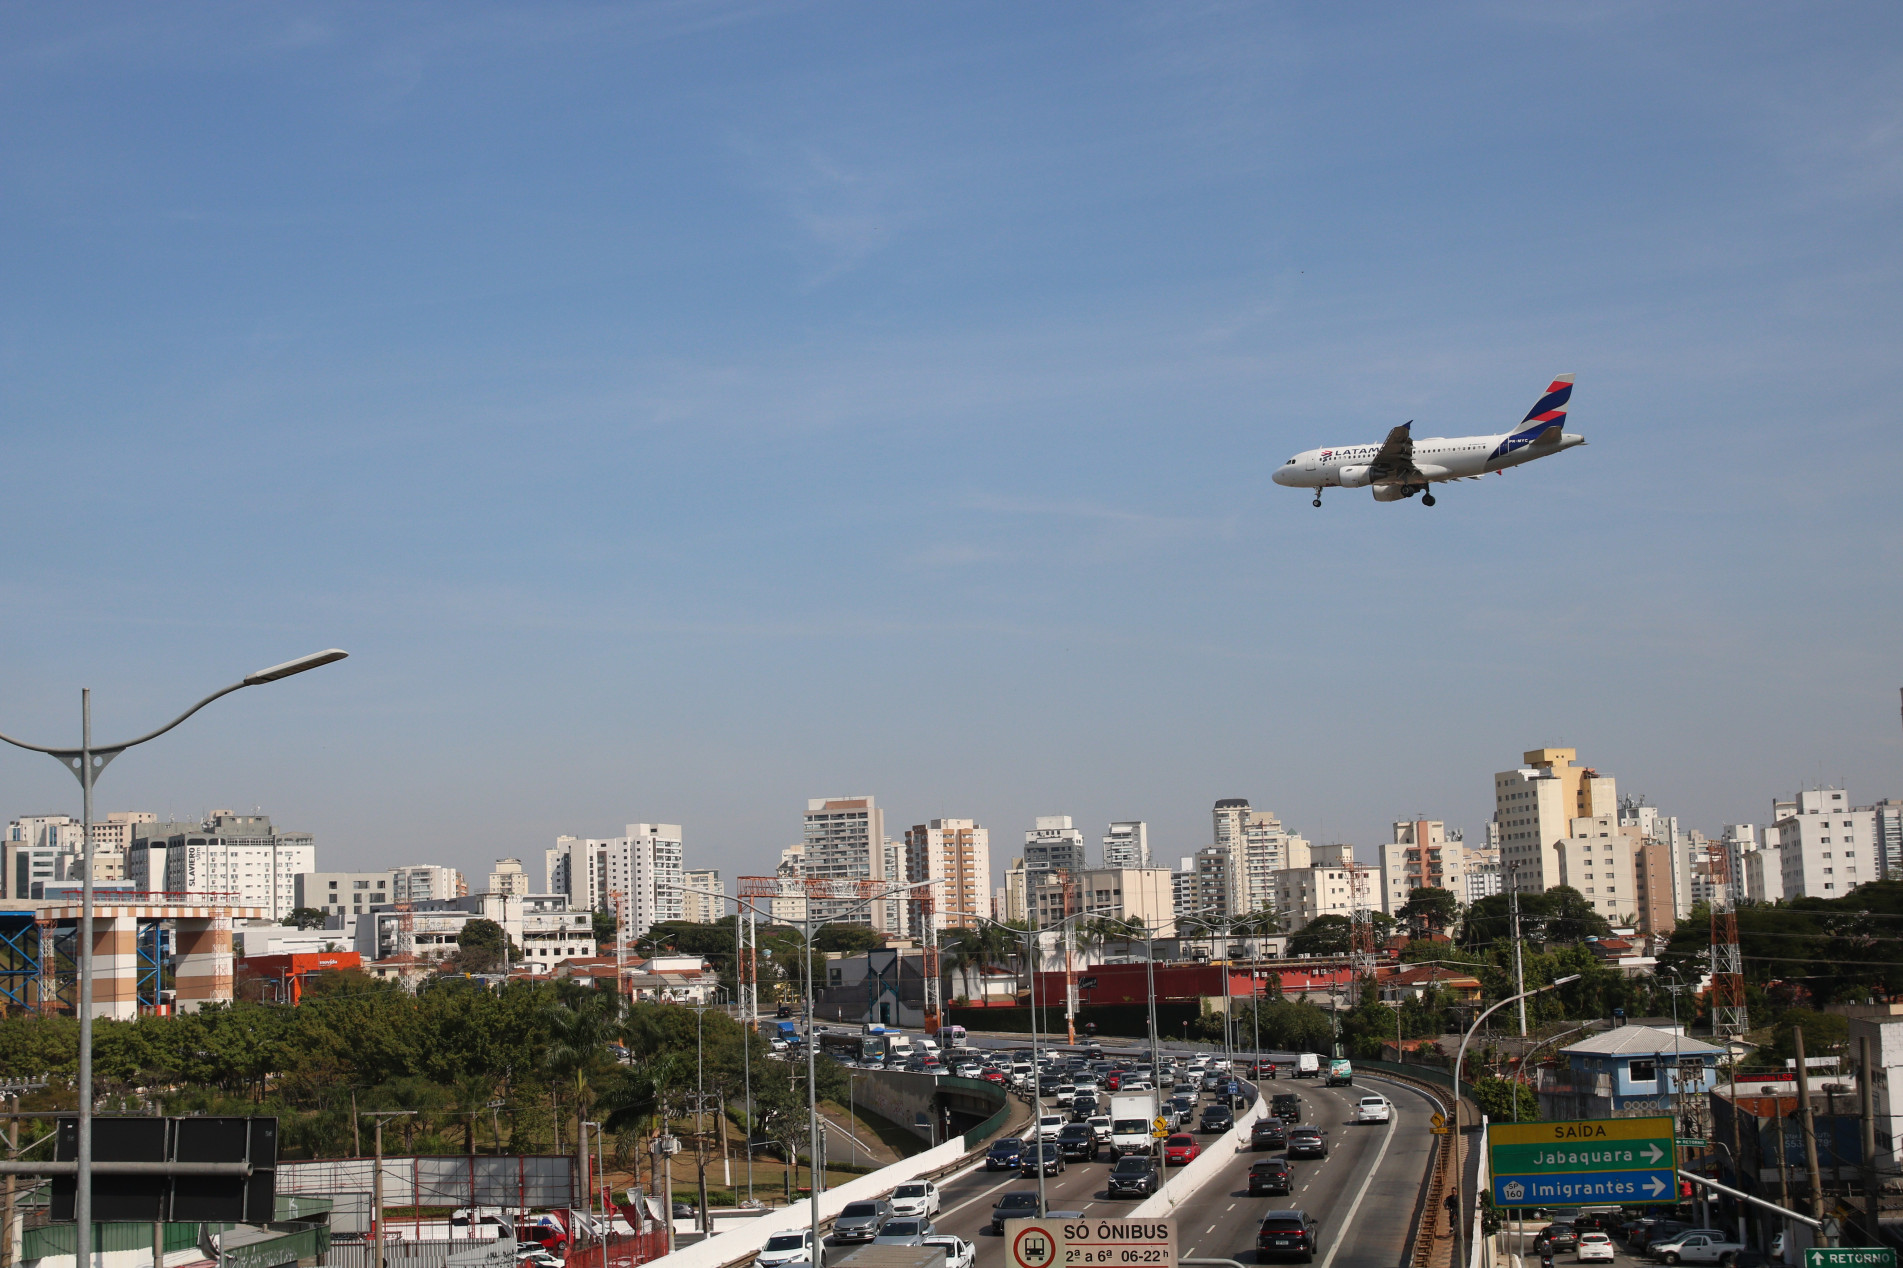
pixel 1582 1162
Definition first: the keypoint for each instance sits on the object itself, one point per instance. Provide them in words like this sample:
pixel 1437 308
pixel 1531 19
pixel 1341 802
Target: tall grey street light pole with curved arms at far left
pixel 87 764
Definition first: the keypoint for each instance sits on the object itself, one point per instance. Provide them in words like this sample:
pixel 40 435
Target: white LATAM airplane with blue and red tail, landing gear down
pixel 1402 467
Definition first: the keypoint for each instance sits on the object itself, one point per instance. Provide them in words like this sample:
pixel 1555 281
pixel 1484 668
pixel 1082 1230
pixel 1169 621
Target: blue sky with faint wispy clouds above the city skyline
pixel 682 410
